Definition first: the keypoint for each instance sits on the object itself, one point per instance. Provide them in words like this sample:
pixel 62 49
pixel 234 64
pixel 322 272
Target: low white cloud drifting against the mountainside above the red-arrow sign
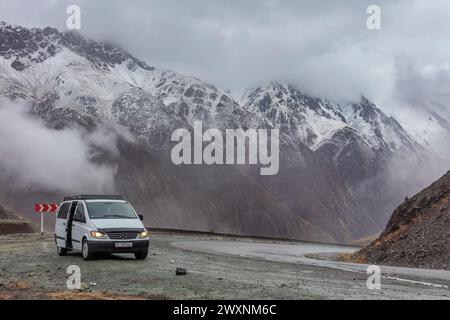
pixel 36 157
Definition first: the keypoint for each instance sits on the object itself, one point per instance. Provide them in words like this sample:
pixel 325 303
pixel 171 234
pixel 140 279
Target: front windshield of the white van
pixel 110 210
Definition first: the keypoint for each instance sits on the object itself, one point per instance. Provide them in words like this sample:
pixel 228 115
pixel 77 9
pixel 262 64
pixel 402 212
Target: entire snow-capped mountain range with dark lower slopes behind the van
pixel 331 154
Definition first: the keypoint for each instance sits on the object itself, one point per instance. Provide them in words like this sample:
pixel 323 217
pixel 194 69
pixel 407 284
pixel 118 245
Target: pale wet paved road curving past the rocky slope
pixel 302 252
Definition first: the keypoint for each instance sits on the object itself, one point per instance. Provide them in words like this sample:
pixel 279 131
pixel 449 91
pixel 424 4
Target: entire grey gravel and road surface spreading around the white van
pixel 217 269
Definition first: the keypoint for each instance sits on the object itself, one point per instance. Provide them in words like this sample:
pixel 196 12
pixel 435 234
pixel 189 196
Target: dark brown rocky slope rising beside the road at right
pixel 418 233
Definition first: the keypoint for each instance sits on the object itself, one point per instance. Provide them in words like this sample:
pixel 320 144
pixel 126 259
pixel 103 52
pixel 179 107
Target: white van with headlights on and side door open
pixel 93 224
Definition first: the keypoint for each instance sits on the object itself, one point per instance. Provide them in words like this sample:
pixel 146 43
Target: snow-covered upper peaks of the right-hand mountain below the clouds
pixel 314 121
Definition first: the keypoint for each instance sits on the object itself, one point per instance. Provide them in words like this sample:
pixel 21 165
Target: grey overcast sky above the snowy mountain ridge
pixel 324 47
